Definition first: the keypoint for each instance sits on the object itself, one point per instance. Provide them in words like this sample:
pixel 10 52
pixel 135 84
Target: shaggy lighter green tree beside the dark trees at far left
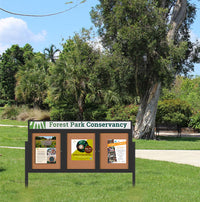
pixel 31 86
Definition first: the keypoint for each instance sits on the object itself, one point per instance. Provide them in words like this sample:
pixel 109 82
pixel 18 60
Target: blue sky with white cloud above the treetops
pixel 44 31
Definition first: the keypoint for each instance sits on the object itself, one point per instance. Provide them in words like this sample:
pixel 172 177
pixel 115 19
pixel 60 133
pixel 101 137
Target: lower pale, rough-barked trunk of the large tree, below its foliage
pixel 145 120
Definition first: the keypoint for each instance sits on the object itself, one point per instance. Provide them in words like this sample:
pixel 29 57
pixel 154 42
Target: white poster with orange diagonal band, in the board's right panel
pixel 116 150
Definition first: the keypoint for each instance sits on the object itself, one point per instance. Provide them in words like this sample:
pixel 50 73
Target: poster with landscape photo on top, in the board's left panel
pixel 45 147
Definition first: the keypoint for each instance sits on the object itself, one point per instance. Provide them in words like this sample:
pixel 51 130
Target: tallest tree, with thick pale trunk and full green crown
pixel 153 38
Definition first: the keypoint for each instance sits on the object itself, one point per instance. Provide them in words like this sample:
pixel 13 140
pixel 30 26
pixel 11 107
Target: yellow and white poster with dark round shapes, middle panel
pixel 82 149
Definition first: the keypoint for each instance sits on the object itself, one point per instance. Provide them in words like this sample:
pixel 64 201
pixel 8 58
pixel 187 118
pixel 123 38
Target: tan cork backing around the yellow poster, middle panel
pixel 80 164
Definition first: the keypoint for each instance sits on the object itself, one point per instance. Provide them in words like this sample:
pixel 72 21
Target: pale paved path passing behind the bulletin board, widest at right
pixel 190 157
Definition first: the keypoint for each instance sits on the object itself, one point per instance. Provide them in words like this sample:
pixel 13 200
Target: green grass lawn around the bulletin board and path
pixel 155 180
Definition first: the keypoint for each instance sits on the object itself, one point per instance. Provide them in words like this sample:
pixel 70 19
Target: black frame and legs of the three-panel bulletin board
pixel 63 134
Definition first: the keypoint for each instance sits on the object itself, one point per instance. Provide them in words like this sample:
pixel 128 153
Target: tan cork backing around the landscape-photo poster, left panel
pixel 57 165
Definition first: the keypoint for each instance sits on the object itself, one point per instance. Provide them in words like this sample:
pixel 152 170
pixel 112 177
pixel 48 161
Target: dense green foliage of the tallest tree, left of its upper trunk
pixel 130 31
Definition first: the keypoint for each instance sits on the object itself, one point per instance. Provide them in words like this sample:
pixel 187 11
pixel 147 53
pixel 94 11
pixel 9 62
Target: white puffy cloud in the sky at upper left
pixel 16 31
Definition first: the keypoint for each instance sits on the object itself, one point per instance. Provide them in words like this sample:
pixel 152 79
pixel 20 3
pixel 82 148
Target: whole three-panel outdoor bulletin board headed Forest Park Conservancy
pixel 79 146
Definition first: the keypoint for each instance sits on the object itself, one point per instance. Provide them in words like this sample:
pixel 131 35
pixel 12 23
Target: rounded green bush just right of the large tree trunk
pixel 173 112
